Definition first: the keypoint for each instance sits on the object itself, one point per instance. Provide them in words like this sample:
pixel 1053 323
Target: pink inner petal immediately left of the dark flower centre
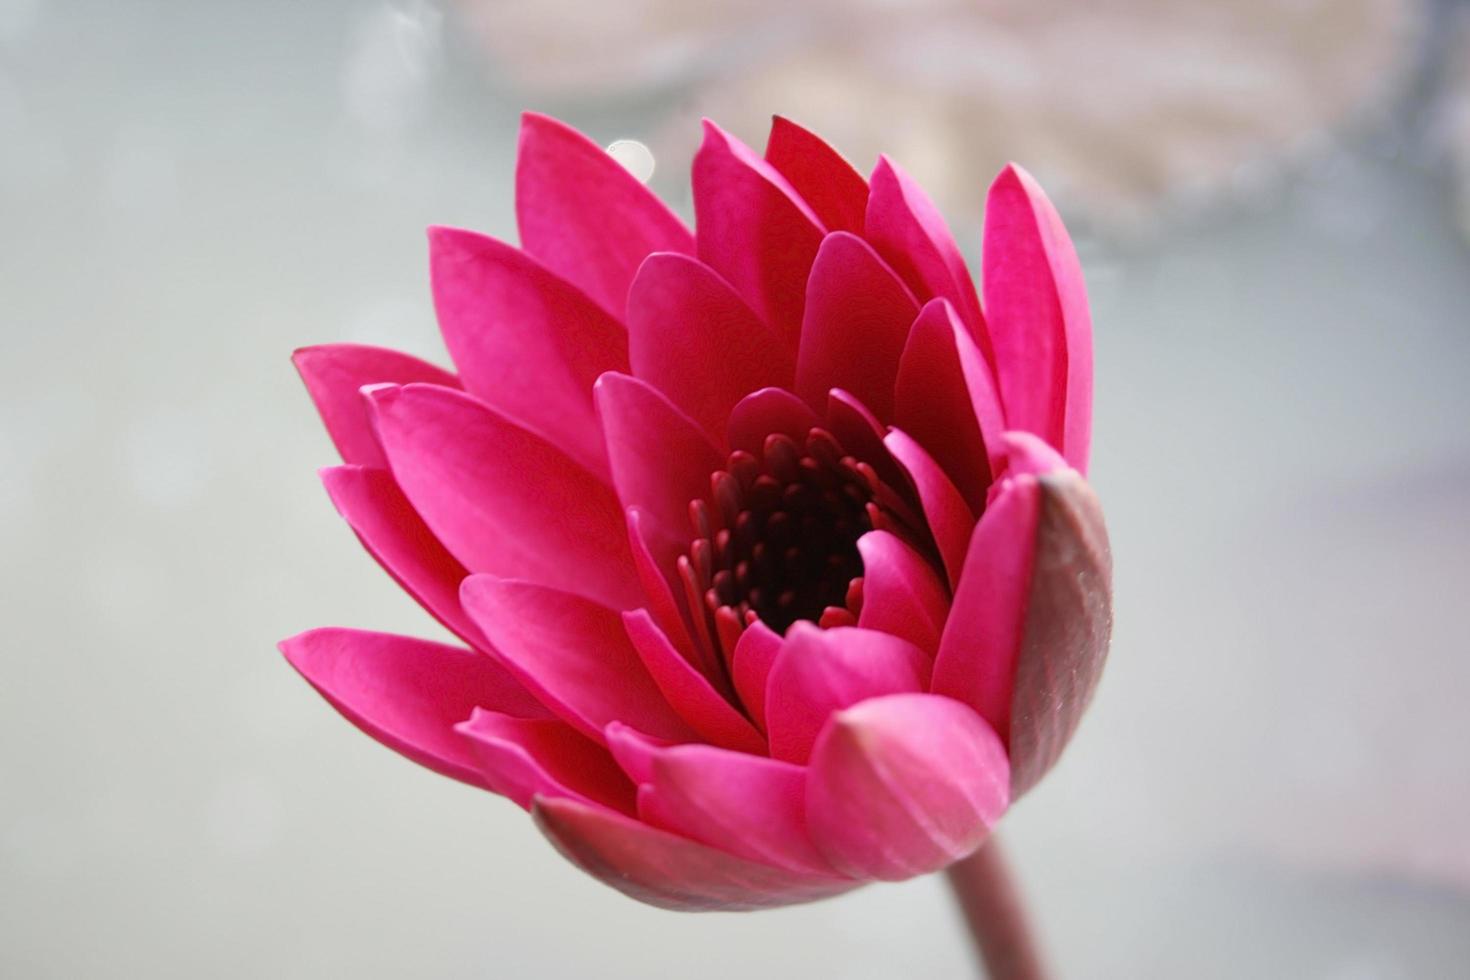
pixel 661 462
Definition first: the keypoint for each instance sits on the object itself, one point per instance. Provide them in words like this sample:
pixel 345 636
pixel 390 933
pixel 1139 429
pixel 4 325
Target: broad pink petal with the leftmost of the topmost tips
pixel 584 217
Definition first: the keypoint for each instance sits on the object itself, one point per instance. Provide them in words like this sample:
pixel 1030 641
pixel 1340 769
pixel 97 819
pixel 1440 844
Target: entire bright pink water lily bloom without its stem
pixel 768 546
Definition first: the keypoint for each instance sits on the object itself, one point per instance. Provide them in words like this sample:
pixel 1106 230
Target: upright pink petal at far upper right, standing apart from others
pixel 1039 317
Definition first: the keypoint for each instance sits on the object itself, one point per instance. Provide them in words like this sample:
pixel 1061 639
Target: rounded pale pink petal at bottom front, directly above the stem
pixel 905 785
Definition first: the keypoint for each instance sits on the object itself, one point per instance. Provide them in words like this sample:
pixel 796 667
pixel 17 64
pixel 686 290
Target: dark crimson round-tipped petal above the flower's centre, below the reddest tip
pixel 856 323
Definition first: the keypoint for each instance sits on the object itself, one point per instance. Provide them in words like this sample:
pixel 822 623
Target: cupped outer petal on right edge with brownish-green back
pixel 1031 622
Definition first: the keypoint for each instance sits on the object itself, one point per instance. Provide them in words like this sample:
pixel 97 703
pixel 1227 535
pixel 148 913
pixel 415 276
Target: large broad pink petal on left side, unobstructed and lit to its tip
pixel 503 500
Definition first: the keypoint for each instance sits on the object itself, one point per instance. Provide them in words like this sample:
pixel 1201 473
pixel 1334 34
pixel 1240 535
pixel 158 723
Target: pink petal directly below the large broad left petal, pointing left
pixel 573 653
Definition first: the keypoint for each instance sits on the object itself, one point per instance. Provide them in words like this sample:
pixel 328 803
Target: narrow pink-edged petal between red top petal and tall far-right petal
pixel 908 231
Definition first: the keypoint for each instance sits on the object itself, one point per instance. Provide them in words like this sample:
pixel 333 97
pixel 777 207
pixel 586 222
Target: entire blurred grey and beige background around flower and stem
pixel 1274 779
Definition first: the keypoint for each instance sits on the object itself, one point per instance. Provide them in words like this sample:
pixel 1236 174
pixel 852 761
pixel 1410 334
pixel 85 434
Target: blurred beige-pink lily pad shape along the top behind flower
pixel 1119 108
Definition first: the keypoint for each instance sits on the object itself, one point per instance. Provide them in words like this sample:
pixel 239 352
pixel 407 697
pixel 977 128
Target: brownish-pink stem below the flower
pixel 996 915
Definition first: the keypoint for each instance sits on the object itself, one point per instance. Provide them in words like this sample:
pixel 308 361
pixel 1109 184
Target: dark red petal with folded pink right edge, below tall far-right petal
pixel 947 402
